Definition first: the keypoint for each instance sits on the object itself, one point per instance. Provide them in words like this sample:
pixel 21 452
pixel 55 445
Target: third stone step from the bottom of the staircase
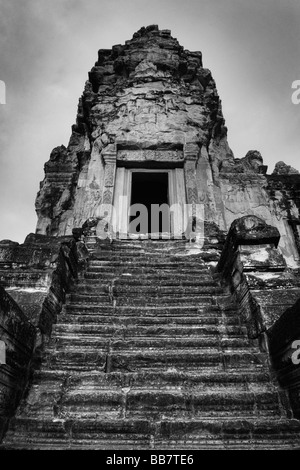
pixel 205 379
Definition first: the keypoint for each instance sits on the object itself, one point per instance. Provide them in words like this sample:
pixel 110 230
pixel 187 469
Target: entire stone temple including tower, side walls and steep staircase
pixel 174 329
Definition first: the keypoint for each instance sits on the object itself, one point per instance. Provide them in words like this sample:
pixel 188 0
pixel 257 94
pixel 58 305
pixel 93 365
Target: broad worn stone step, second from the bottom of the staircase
pixel 87 401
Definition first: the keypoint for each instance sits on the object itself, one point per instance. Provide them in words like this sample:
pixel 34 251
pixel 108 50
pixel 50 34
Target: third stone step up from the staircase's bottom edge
pixel 47 381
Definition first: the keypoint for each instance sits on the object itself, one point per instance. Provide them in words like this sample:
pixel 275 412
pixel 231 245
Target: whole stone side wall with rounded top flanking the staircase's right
pixel 268 294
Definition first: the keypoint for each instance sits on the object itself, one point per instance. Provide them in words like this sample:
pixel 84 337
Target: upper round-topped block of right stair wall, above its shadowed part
pixel 256 271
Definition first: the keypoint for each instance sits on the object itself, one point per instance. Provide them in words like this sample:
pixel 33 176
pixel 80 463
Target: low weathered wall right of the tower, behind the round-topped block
pixel 247 190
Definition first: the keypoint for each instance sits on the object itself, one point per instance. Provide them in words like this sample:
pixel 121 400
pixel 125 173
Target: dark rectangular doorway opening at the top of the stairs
pixel 149 189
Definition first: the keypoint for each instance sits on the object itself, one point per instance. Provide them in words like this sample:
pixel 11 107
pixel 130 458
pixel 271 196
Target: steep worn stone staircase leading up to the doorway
pixel 149 353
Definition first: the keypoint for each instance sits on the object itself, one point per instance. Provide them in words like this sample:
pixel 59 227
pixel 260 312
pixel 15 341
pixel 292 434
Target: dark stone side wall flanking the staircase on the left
pixel 36 277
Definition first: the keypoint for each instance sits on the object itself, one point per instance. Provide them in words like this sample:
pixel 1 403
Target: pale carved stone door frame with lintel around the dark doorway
pixel 182 162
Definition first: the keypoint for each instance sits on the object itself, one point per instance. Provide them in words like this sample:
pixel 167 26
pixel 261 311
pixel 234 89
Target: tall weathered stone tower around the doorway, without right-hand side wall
pixel 149 107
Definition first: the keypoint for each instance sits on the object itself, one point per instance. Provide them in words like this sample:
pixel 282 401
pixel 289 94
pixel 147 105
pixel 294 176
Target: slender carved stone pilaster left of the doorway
pixel 104 227
